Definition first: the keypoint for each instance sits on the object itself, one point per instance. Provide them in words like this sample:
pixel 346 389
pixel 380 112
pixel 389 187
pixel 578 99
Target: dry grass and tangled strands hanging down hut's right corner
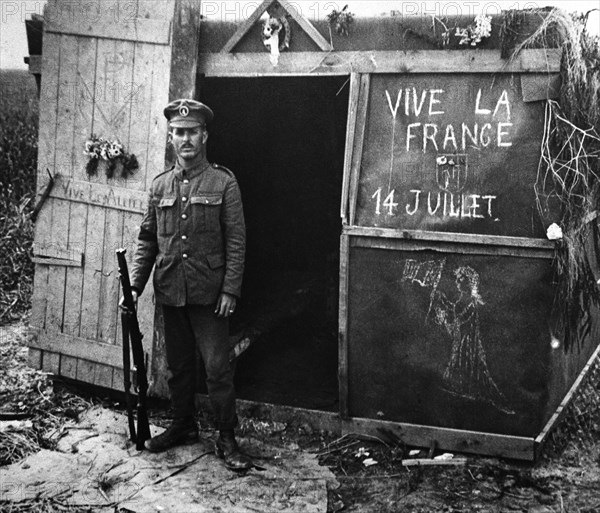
pixel 569 169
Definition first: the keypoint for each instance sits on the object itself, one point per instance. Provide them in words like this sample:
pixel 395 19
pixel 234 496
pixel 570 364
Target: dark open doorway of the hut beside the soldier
pixel 284 140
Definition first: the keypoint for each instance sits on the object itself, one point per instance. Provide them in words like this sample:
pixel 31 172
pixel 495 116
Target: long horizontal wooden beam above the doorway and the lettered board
pixel 344 63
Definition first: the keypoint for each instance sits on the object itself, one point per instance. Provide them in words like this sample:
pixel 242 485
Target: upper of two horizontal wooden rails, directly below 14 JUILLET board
pixel 467 238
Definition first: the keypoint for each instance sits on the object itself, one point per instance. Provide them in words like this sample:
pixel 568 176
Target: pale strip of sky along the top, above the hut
pixel 13 13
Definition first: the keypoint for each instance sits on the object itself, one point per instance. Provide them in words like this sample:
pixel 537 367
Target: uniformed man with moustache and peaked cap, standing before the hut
pixel 194 234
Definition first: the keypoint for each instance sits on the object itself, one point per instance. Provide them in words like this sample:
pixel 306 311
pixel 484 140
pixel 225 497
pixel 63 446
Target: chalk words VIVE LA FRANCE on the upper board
pixel 451 137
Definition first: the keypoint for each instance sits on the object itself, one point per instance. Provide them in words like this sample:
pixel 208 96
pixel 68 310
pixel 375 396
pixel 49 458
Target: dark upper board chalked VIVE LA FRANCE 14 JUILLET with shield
pixel 451 153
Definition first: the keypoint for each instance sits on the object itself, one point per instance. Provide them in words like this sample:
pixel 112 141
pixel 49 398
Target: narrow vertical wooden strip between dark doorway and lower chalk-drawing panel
pixel 343 325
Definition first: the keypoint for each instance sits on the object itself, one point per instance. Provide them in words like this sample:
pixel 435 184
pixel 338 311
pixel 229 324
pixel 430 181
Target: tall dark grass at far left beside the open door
pixel 18 161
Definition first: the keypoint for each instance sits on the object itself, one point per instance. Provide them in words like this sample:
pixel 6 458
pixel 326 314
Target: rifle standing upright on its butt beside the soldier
pixel 131 332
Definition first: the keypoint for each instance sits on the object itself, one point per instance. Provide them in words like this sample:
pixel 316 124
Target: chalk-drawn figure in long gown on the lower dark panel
pixel 467 374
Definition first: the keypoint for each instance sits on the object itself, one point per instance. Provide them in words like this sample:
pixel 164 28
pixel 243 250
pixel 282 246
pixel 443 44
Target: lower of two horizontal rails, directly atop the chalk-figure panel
pixel 450 247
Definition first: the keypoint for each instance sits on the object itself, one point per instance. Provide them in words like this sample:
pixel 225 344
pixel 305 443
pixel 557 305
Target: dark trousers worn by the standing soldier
pixel 191 330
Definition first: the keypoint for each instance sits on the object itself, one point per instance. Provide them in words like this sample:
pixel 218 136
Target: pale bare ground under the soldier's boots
pixel 96 466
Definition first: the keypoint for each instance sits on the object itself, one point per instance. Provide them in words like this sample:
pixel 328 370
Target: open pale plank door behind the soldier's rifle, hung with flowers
pixel 105 71
